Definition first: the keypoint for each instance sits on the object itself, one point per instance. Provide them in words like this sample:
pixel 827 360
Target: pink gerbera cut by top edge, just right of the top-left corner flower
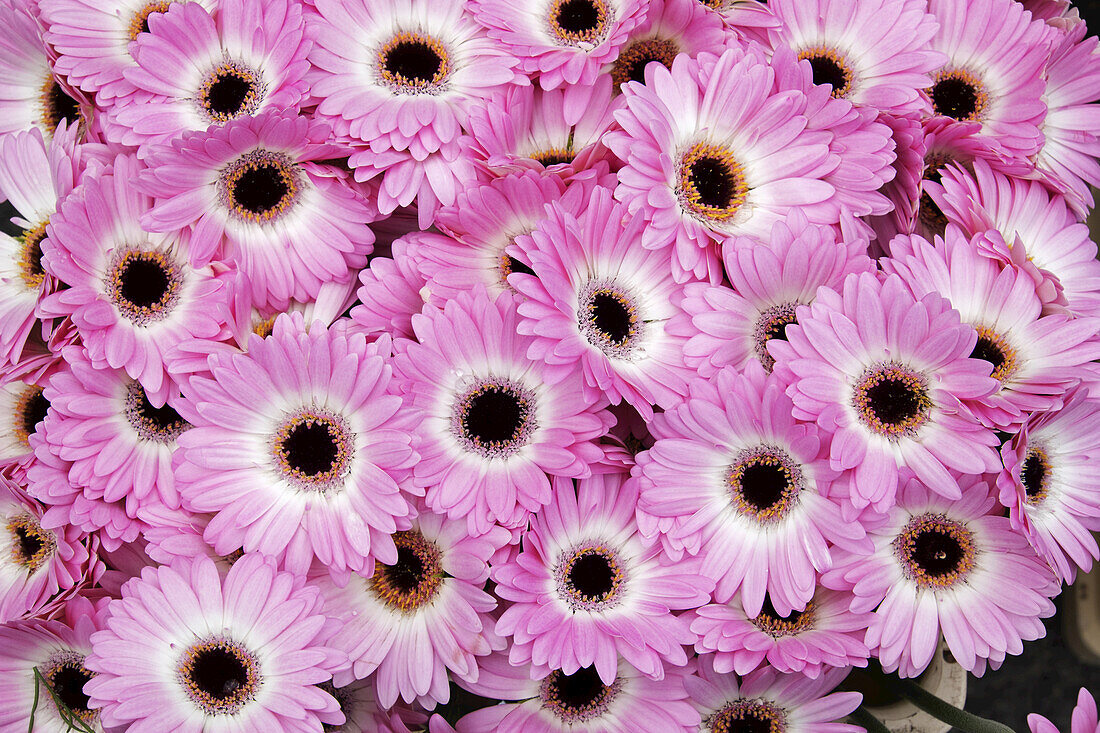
pixel 93 40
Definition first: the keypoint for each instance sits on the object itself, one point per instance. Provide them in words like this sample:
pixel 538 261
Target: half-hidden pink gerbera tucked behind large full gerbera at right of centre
pixel 730 326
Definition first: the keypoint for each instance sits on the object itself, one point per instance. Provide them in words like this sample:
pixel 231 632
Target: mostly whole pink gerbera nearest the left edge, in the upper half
pixel 133 296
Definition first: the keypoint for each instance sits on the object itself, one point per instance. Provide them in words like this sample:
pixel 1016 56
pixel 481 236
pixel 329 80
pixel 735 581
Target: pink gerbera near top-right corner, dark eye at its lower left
pixel 994 75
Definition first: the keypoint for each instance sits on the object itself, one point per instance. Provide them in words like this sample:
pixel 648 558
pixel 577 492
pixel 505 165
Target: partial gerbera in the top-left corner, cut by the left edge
pixel 31 95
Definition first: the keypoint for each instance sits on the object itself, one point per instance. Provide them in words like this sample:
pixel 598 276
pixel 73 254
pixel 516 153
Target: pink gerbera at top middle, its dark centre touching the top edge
pixel 562 42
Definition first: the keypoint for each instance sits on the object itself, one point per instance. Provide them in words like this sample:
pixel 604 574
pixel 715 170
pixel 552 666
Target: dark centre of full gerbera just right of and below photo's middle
pixel 765 484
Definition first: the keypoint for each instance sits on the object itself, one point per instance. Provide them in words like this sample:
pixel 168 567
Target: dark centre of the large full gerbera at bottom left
pixel 219 676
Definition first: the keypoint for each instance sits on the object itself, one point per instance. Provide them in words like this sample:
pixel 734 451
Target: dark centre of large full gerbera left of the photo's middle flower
pixel 313 451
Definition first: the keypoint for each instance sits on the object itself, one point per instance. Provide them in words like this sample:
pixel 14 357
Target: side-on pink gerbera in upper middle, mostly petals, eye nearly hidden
pixel 556 132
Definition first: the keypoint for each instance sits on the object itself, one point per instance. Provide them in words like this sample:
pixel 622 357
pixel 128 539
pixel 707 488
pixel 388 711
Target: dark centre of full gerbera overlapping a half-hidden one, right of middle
pixel 893 400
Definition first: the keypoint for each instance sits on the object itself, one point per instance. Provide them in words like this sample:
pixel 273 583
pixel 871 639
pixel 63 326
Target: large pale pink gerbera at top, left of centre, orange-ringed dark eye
pixel 401 76
